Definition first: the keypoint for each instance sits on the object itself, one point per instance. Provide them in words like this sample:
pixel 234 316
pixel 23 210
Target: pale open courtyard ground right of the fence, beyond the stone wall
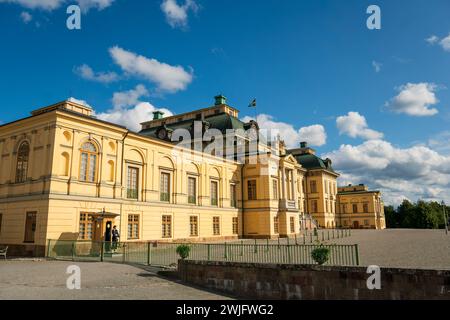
pixel 407 248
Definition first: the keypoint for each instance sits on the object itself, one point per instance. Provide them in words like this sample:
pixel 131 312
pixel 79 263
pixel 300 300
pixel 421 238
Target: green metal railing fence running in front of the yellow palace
pixel 164 254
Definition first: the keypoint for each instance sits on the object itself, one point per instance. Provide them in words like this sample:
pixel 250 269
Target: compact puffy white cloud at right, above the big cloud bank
pixel 415 99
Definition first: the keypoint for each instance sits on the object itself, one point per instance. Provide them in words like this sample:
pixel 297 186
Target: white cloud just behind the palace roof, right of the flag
pixel 315 135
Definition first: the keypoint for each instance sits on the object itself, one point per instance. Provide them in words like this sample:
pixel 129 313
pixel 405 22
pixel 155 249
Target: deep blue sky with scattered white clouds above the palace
pixel 307 62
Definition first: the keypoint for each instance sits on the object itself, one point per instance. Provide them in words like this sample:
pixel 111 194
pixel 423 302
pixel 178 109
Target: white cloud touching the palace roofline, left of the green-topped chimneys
pixel 132 117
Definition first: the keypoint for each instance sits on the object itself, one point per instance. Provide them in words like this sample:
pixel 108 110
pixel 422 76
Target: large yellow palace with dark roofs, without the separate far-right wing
pixel 67 175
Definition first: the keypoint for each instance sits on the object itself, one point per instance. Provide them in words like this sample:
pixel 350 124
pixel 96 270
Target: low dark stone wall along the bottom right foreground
pixel 311 282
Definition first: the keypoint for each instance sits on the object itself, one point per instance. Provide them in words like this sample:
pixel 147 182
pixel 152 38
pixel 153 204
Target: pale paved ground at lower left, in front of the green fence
pixel 42 279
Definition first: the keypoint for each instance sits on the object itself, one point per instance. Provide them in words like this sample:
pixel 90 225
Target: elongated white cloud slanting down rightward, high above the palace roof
pixel 166 77
